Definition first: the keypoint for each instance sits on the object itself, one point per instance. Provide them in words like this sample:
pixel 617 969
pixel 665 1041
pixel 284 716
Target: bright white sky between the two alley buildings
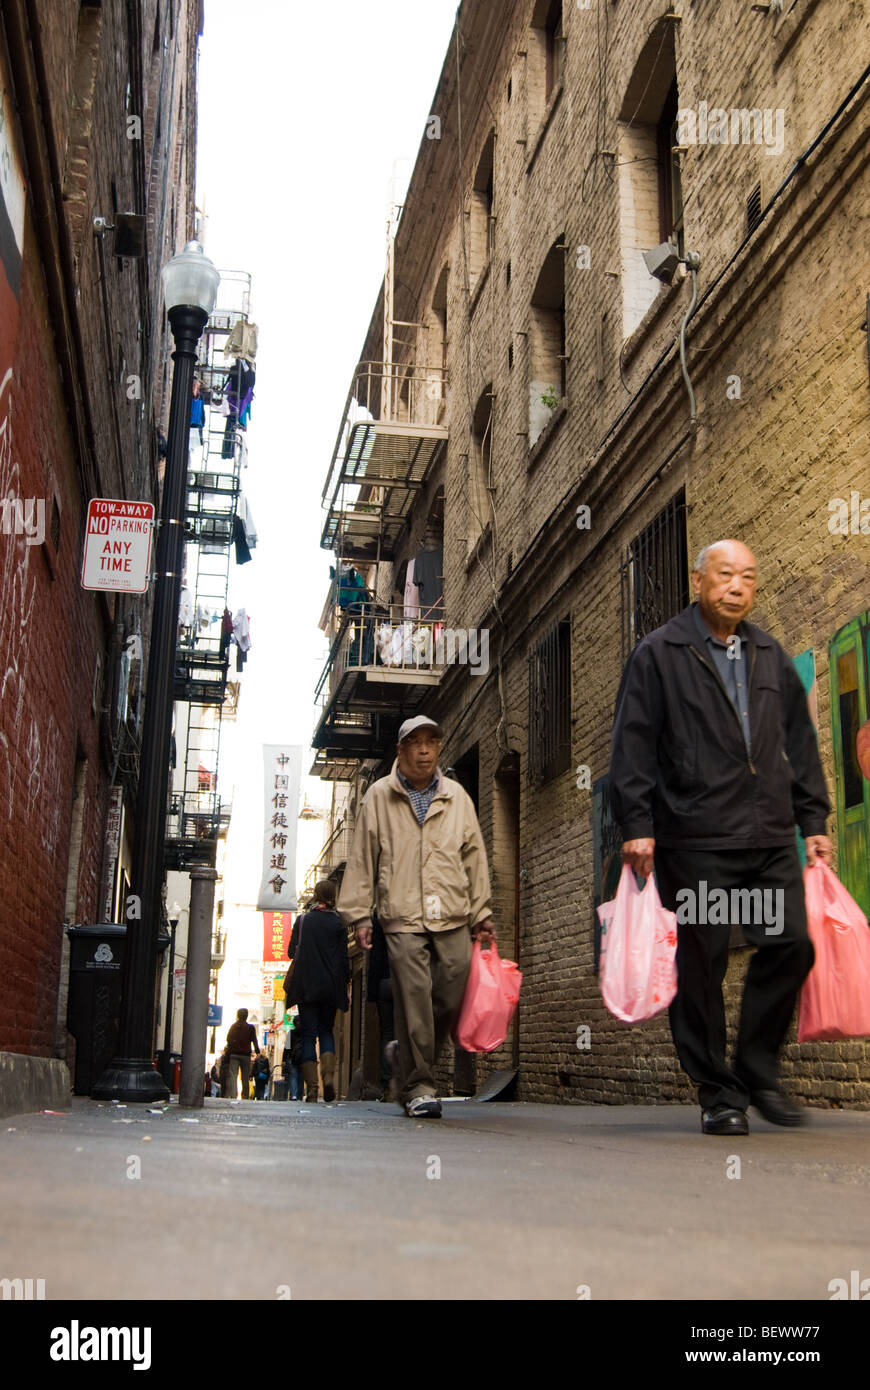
pixel 304 116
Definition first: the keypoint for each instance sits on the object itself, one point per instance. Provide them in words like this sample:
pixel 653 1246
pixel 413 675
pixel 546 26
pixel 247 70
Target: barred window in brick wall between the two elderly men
pixel 550 700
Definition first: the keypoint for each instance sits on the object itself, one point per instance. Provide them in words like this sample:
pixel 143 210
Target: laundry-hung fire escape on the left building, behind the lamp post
pixel 197 817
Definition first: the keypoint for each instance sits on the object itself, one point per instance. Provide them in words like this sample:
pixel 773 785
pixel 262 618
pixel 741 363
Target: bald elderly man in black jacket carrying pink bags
pixel 715 760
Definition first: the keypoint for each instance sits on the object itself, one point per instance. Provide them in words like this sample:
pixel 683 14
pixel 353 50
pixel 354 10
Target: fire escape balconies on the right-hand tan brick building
pixel 380 664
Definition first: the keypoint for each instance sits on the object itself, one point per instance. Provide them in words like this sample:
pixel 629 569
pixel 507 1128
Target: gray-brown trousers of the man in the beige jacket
pixel 429 972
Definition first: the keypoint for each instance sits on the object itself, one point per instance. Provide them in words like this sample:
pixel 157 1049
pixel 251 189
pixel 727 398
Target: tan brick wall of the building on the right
pixel 785 315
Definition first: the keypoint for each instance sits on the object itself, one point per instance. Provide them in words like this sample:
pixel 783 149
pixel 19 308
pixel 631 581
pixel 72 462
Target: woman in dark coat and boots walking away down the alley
pixel 319 985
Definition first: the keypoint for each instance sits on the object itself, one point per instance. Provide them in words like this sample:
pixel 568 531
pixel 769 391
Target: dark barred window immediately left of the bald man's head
pixel 655 575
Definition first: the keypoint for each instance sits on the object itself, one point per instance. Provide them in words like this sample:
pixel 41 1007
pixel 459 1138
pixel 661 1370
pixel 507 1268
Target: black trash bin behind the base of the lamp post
pixel 94 1011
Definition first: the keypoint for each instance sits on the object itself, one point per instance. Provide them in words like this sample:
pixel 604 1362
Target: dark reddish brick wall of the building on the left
pixel 56 640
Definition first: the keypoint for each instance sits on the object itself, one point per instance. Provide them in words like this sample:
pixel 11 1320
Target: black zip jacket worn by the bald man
pixel 680 771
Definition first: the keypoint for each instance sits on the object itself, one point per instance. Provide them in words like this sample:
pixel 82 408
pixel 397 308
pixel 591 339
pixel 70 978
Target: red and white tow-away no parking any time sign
pixel 119 546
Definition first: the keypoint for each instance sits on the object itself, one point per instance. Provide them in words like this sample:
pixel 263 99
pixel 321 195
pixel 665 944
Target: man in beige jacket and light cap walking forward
pixel 419 860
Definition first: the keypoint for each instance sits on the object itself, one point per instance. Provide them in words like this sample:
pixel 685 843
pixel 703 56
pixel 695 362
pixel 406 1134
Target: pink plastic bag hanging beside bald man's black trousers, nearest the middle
pixel 639 964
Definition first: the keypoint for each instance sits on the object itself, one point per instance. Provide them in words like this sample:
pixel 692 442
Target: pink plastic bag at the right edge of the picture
pixel 836 995
